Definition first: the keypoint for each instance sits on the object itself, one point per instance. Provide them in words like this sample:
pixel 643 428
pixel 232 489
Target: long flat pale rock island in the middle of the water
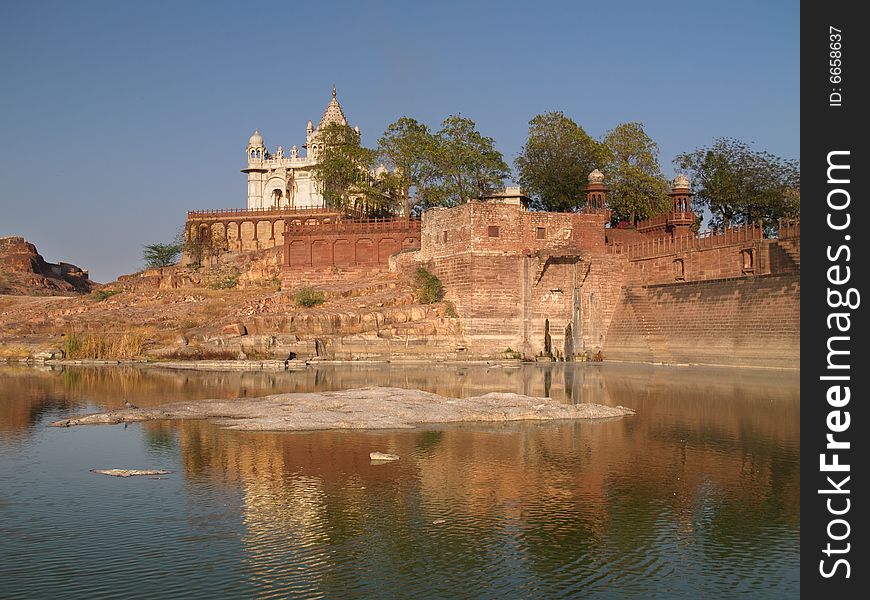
pixel 366 408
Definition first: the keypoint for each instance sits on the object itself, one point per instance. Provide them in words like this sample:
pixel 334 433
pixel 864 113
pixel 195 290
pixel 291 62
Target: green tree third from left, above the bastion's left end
pixel 465 163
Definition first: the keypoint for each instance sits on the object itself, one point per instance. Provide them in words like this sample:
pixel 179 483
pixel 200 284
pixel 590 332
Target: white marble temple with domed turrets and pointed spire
pixel 284 179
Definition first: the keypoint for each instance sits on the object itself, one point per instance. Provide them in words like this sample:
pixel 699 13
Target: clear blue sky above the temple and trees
pixel 117 117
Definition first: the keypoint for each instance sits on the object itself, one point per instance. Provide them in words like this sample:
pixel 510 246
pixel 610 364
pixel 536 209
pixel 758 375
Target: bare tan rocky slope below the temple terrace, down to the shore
pixel 236 309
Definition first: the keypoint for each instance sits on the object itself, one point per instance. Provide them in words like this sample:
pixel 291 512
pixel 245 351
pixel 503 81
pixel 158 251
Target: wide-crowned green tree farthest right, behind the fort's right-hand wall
pixel 740 185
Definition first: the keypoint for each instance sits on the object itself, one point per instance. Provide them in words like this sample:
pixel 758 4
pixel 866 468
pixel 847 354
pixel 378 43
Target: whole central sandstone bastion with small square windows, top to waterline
pixel 512 274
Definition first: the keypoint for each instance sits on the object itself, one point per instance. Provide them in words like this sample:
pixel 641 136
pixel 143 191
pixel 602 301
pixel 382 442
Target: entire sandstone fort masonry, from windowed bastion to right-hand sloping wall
pixel 533 281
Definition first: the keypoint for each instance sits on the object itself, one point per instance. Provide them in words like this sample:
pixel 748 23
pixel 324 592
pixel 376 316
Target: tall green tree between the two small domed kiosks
pixel 638 189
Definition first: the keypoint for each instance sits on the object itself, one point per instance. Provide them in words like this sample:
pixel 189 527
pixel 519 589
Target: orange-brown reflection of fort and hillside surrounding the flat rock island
pixel 711 452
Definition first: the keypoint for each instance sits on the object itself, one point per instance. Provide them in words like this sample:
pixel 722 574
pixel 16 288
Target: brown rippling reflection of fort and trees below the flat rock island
pixel 576 498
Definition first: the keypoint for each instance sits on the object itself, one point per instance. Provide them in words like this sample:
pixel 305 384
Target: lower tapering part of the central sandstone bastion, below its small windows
pixel 505 300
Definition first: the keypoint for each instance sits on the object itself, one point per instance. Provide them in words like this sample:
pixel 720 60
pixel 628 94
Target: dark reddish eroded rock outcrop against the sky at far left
pixel 24 272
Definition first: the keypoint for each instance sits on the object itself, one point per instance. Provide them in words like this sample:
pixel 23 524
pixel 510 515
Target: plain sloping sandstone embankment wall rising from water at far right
pixel 749 321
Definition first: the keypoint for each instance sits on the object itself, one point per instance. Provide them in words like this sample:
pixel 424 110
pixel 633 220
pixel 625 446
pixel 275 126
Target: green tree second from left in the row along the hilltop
pixel 408 148
